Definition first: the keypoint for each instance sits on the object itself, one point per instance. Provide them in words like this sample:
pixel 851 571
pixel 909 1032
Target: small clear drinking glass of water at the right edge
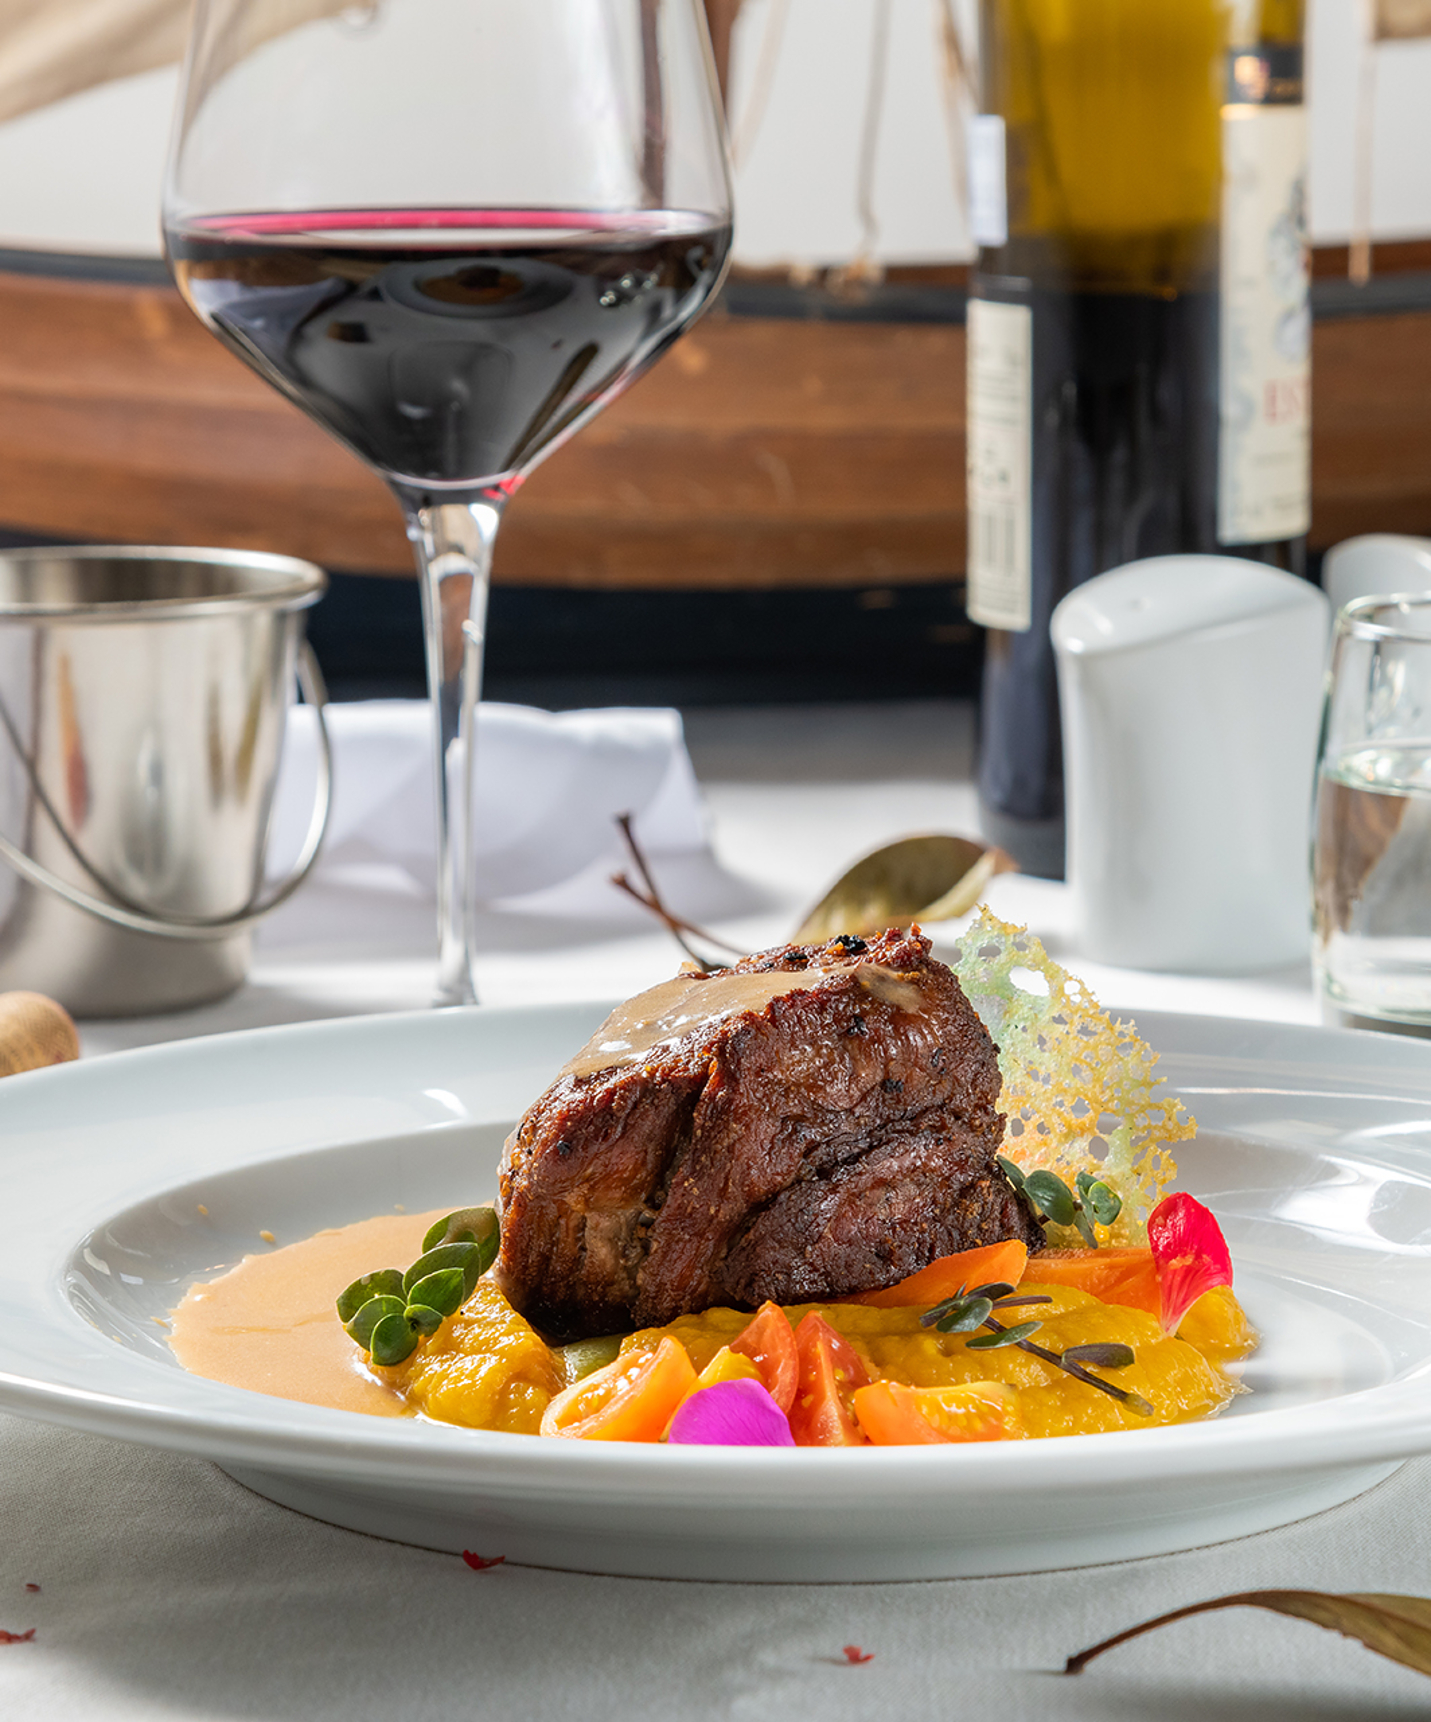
pixel 1372 865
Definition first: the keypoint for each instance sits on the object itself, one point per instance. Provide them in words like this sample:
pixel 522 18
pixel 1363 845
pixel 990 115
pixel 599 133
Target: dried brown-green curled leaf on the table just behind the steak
pixel 919 879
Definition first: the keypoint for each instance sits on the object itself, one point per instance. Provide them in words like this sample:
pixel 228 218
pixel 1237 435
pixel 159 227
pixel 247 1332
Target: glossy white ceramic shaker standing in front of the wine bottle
pixel 1191 693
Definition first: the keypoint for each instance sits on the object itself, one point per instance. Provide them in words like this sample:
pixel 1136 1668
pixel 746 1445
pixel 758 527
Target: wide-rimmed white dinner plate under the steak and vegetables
pixel 1315 1151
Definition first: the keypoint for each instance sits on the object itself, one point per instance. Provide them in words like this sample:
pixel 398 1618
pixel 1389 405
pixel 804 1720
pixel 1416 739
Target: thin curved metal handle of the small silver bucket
pixel 189 927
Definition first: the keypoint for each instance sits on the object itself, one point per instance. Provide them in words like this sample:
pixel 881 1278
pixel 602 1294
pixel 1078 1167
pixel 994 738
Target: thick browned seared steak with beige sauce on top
pixel 817 1122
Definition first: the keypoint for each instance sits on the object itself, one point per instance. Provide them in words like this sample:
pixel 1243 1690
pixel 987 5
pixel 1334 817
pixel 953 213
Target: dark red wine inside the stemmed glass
pixel 449 347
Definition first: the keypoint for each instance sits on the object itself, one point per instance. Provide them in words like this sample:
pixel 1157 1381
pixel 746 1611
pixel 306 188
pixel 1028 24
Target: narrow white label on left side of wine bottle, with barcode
pixel 1001 462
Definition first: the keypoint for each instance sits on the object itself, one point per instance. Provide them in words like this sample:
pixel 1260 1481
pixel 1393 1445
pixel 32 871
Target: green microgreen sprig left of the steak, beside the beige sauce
pixel 390 1311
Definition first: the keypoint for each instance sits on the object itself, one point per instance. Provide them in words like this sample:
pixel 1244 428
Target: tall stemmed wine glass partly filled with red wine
pixel 450 232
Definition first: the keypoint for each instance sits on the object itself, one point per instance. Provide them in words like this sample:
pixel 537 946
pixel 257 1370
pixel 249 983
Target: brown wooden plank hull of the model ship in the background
pixel 759 454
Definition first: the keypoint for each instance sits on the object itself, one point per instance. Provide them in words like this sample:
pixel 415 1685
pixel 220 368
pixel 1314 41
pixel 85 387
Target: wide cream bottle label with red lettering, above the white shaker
pixel 1265 449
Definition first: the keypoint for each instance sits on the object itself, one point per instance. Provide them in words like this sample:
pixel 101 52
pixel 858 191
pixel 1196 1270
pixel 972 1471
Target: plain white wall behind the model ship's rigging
pixel 85 175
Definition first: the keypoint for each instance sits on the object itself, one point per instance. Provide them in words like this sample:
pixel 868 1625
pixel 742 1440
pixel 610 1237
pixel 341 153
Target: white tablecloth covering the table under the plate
pixel 166 1590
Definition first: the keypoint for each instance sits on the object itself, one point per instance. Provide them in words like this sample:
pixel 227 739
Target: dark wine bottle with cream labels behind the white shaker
pixel 1139 331
